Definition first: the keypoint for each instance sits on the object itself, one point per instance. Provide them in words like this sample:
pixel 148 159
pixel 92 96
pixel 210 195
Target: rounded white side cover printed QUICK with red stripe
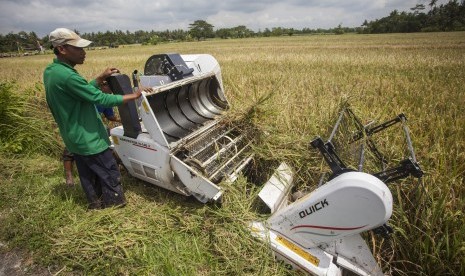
pixel 349 204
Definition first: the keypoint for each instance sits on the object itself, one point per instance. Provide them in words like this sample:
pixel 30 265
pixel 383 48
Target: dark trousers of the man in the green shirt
pixel 100 179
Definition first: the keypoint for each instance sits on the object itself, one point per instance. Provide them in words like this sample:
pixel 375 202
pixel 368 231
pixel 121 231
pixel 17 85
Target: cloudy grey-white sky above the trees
pixel 85 16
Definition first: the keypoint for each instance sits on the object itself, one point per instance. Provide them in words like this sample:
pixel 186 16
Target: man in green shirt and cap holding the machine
pixel 72 102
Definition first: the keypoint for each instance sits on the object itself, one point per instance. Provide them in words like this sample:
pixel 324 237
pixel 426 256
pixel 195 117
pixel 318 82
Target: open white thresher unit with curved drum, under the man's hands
pixel 178 137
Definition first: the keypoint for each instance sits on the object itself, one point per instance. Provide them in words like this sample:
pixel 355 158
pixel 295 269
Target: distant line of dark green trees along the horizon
pixel 445 17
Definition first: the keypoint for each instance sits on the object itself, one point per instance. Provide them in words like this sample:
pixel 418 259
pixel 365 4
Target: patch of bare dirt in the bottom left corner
pixel 16 262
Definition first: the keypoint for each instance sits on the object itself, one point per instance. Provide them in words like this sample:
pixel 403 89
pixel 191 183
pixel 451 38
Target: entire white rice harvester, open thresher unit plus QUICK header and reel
pixel 177 138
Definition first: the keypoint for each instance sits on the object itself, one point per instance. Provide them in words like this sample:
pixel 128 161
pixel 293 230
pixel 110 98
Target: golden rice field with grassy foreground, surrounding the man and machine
pixel 294 87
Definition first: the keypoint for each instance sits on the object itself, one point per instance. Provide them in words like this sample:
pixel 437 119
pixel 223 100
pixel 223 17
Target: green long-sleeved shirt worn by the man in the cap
pixel 72 101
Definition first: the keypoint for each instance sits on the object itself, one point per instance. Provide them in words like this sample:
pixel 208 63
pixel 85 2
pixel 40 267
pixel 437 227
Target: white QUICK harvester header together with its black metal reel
pixel 319 233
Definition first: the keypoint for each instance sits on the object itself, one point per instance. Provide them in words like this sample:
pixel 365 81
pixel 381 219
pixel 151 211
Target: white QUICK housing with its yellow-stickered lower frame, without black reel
pixel 320 233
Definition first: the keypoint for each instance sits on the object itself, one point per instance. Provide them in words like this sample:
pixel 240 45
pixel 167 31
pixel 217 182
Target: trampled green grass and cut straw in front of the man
pixel 158 233
